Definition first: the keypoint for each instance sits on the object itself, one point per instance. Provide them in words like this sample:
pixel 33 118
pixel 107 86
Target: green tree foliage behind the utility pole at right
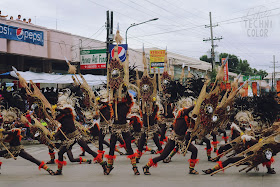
pixel 236 65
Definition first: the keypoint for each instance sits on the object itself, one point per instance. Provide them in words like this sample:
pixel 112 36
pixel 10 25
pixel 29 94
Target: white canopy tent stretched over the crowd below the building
pixel 54 78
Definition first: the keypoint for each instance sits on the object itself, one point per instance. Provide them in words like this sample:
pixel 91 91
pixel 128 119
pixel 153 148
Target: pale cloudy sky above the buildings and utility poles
pixel 250 29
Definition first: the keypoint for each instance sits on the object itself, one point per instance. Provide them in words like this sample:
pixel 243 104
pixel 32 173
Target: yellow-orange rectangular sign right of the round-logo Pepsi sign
pixel 157 59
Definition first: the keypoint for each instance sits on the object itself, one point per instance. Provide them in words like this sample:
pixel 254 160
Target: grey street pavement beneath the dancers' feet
pixel 22 173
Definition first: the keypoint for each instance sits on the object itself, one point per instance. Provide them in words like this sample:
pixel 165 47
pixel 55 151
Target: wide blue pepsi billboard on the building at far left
pixel 22 35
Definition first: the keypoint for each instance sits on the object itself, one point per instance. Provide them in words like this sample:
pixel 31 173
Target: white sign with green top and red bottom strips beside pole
pixel 93 59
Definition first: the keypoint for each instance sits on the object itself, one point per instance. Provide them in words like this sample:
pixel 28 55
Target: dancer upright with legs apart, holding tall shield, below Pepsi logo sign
pixel 118 83
